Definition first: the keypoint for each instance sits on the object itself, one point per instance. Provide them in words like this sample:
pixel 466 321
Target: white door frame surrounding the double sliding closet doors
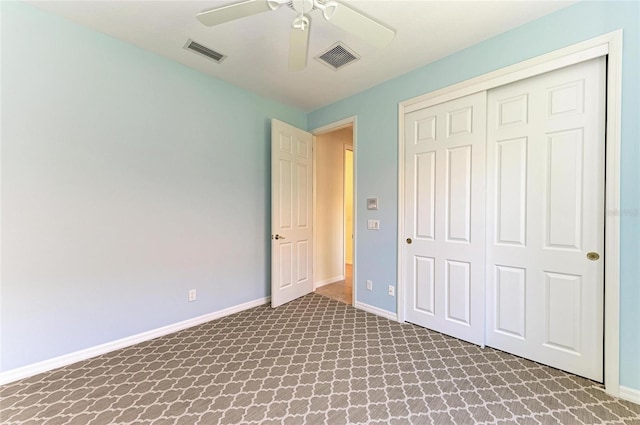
pixel 608 44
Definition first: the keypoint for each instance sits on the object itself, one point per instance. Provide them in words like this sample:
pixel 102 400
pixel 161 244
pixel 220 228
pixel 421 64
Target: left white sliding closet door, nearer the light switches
pixel 444 217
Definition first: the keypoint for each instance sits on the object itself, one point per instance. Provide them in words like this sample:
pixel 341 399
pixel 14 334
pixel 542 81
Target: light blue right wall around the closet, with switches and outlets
pixel 377 154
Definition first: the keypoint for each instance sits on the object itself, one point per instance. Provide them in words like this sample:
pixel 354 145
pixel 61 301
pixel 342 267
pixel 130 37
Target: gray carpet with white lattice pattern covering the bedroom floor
pixel 312 361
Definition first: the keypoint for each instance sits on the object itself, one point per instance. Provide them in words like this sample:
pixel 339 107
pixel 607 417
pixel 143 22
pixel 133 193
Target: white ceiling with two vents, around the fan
pixel 257 46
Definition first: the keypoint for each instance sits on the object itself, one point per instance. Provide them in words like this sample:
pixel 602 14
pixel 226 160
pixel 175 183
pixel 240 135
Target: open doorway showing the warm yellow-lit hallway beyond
pixel 334 213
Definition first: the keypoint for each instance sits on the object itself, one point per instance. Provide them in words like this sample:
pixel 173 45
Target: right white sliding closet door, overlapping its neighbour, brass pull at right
pixel 545 214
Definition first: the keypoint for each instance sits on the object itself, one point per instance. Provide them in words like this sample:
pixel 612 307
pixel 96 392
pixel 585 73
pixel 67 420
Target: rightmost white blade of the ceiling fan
pixel 362 26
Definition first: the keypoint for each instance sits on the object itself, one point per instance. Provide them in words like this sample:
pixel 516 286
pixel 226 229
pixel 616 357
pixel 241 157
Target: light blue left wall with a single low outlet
pixel 127 179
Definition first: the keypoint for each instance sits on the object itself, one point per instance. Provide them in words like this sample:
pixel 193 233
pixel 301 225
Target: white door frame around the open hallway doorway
pixel 337 125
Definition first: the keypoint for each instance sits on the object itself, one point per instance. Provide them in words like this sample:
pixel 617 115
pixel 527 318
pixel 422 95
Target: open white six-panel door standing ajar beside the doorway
pixel 291 213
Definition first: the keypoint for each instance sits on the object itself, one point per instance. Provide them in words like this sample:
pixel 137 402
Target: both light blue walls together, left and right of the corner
pixel 128 179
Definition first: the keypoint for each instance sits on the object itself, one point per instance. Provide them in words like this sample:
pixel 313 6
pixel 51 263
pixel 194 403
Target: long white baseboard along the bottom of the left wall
pixel 67 359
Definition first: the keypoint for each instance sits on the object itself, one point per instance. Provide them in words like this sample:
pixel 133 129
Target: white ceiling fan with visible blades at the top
pixel 339 14
